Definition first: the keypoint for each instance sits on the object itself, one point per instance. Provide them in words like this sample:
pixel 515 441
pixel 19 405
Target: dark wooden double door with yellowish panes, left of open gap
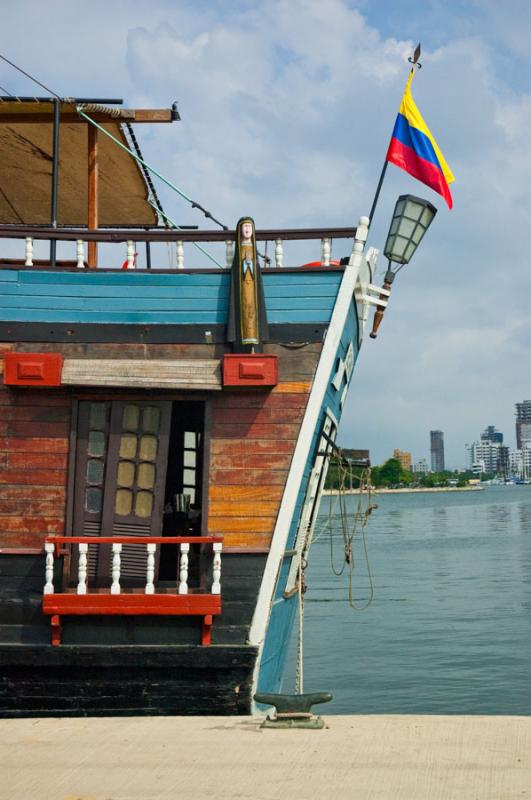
pixel 120 478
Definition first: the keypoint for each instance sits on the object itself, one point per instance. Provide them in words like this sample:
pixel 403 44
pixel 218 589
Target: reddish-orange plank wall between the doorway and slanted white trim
pixel 253 438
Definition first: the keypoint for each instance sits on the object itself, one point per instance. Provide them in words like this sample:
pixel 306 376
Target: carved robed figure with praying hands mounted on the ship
pixel 247 328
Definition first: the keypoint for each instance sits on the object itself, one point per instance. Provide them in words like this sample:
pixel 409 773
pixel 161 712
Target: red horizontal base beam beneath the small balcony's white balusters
pixel 132 604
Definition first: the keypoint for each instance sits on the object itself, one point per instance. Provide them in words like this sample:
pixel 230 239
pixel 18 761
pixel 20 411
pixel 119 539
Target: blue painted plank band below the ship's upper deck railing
pixel 172 299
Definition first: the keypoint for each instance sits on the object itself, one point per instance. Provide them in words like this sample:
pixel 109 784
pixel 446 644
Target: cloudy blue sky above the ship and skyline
pixel 287 108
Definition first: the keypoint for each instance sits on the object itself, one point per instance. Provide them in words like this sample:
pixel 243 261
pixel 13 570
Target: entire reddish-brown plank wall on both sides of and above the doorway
pixel 252 441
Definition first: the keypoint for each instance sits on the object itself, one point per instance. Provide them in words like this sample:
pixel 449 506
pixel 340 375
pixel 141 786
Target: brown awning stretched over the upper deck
pixel 26 168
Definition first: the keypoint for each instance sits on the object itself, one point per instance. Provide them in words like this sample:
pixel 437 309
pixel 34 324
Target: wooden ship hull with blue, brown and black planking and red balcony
pixel 158 490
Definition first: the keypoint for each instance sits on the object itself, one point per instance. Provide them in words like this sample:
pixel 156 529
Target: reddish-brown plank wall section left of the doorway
pixel 34 434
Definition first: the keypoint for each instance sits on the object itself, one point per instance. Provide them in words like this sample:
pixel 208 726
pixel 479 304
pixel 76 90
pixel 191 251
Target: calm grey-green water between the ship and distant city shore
pixel 449 629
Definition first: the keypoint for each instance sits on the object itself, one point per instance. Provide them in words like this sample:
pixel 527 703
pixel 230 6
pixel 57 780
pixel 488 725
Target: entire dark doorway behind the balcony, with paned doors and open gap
pixel 138 471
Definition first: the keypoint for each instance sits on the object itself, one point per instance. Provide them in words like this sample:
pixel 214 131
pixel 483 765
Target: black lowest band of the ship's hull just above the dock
pixel 82 681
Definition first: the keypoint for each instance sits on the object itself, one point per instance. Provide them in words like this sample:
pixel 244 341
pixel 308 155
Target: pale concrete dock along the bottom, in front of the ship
pixel 355 757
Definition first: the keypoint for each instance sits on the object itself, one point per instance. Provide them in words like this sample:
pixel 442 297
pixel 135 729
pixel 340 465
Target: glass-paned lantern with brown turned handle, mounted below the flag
pixel 411 219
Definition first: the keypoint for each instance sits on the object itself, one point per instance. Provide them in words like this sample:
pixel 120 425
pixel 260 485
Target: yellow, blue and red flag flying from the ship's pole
pixel 414 149
